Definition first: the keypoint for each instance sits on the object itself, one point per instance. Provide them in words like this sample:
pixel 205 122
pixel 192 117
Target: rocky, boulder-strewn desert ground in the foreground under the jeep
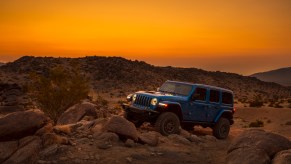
pixel 87 137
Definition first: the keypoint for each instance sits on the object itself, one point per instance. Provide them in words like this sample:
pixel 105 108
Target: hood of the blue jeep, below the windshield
pixel 162 96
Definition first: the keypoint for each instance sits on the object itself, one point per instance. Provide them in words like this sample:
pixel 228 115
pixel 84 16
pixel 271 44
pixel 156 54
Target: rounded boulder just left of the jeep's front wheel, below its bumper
pixel 121 127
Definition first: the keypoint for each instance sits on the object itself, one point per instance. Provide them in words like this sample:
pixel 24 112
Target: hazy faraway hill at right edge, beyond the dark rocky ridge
pixel 281 76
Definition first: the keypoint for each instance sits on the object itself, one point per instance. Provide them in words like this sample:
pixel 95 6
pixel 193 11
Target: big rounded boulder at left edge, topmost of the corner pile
pixel 20 124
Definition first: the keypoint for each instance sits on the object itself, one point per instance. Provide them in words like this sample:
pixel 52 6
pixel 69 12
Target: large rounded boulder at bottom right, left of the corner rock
pixel 256 144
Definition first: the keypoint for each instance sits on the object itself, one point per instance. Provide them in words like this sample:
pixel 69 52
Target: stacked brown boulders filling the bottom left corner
pixel 18 144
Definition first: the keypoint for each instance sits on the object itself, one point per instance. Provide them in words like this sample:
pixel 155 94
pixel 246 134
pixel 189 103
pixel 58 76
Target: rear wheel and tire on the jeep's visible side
pixel 221 128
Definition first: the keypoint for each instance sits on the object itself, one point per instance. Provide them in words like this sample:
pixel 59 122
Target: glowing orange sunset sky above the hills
pixel 242 36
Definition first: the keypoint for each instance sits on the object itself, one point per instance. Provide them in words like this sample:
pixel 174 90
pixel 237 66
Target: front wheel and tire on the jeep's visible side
pixel 168 123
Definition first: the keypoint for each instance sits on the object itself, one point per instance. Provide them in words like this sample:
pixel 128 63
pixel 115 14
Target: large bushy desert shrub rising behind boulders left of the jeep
pixel 59 90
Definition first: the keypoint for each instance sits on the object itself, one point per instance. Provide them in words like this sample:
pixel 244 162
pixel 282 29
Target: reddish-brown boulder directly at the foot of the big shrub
pixel 77 112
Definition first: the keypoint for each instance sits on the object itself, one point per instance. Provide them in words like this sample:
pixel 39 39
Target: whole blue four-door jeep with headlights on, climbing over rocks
pixel 183 104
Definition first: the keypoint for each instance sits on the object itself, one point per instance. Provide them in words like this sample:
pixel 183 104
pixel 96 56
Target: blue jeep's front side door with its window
pixel 198 105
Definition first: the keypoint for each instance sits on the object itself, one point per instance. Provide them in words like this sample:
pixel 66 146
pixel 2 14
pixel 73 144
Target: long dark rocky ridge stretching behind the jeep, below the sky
pixel 116 73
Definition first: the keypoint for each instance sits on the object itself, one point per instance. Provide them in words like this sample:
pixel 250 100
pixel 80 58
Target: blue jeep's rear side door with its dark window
pixel 214 104
